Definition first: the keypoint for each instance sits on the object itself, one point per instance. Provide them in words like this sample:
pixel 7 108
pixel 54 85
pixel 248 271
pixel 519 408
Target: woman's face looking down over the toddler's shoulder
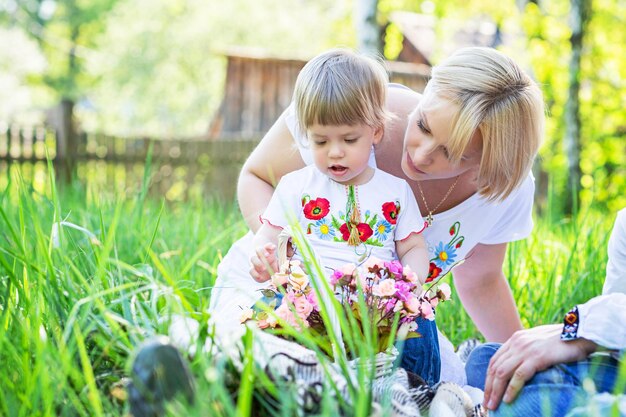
pixel 425 153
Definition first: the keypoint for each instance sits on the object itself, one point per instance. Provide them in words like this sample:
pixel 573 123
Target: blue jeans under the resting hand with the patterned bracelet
pixel 552 392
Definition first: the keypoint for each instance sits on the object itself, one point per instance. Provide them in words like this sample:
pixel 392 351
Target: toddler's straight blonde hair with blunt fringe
pixel 341 87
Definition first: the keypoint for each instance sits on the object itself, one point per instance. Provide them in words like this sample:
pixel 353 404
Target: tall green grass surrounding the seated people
pixel 74 309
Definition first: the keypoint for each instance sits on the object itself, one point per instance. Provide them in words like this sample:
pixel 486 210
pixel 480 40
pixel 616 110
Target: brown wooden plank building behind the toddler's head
pixel 259 87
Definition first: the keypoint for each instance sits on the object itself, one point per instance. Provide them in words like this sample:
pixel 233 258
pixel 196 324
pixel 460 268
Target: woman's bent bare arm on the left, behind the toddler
pixel 275 156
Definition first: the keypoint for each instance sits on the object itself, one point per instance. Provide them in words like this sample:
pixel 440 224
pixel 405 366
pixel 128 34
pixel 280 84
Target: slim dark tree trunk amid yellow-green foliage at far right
pixel 572 142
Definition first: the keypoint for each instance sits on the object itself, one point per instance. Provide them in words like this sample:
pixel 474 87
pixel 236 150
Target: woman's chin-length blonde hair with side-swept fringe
pixel 497 99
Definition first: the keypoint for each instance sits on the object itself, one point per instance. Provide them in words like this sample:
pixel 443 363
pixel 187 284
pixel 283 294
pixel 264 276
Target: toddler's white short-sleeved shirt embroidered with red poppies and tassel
pixel 388 213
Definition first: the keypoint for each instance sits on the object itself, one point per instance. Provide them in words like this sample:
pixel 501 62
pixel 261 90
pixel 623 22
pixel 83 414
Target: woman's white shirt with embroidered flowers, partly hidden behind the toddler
pixel 456 231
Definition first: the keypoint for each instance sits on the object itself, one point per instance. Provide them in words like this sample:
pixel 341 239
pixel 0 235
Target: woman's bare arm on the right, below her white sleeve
pixel 485 292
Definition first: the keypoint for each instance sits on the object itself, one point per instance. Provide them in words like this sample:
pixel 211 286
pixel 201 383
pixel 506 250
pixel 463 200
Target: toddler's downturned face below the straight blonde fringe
pixel 342 152
